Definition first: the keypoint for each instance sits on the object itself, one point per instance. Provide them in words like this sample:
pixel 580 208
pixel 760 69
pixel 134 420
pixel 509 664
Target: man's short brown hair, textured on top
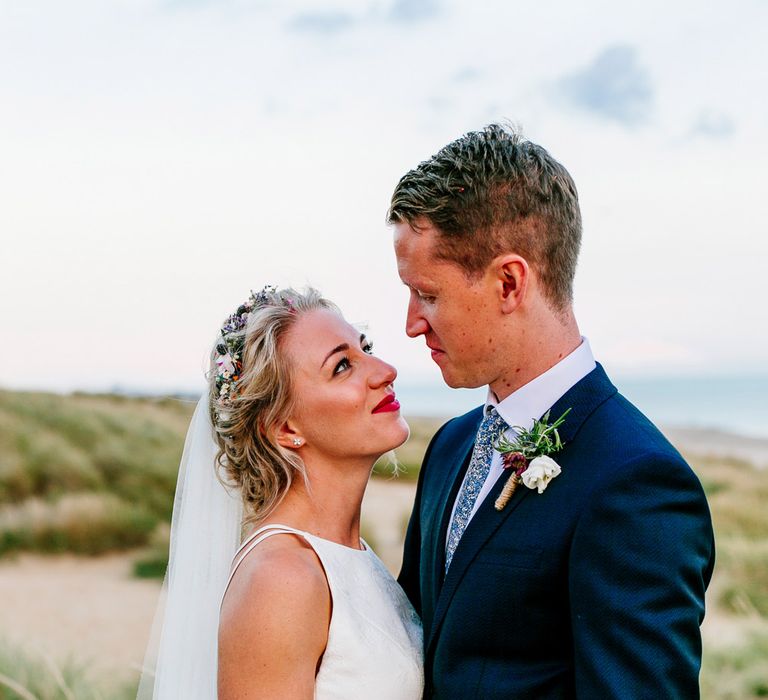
pixel 492 192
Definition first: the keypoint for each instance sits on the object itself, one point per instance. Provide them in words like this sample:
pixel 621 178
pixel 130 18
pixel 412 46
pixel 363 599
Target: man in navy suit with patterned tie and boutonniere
pixel 591 585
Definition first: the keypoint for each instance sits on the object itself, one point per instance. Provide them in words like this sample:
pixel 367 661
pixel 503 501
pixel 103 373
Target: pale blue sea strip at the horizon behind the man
pixel 736 404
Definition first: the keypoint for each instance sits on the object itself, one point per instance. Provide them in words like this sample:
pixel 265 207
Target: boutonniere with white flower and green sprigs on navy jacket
pixel 527 456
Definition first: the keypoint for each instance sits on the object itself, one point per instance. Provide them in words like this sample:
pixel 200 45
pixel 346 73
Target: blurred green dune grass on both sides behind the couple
pixel 92 474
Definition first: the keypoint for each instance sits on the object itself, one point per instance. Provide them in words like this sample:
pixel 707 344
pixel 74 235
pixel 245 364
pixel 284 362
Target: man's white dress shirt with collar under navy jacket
pixel 529 403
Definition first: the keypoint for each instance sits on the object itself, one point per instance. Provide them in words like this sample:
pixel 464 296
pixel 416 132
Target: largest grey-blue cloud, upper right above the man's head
pixel 614 86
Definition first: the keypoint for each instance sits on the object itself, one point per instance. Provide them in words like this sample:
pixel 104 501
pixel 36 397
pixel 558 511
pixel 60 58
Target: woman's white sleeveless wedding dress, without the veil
pixel 374 648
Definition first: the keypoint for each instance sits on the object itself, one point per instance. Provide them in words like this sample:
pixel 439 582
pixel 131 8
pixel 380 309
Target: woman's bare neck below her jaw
pixel 329 508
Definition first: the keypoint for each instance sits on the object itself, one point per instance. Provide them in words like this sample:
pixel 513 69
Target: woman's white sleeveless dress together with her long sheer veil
pixel 374 649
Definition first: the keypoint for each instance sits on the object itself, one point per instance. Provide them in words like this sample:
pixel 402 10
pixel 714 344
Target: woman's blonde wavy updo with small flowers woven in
pixel 251 396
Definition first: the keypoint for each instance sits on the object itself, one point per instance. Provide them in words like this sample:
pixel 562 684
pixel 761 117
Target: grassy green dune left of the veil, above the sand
pixel 86 474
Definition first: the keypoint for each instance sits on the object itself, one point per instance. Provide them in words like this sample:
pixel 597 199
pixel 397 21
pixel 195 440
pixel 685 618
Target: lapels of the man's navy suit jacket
pixel 583 399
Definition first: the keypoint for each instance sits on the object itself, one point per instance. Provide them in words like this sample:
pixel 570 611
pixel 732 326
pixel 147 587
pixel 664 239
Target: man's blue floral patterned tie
pixel 479 466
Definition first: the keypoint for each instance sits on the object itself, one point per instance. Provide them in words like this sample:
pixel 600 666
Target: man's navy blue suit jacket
pixel 592 589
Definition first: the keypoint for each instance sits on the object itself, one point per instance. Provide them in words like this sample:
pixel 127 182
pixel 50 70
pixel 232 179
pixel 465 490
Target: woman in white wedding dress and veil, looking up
pixel 298 411
